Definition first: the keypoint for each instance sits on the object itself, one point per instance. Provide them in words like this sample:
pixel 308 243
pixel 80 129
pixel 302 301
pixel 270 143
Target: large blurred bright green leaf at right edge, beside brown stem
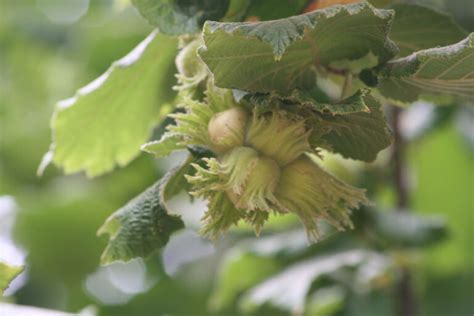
pixel 447 191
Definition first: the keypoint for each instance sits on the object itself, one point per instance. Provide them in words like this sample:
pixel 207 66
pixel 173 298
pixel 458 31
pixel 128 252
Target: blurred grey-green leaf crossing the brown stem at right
pixel 402 229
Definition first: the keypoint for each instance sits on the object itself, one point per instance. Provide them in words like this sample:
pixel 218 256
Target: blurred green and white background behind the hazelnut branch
pixel 49 48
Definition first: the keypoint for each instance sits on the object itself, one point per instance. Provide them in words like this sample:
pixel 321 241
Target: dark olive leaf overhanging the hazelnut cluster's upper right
pixel 355 127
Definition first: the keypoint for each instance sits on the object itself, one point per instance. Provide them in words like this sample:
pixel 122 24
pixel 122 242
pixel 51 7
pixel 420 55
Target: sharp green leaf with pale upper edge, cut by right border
pixel 440 71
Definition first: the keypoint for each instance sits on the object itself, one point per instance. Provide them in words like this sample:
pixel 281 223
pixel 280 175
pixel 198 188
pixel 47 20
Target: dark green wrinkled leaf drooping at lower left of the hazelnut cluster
pixel 143 225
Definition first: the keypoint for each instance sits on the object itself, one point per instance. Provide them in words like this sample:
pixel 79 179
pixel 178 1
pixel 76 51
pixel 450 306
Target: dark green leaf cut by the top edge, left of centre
pixel 176 17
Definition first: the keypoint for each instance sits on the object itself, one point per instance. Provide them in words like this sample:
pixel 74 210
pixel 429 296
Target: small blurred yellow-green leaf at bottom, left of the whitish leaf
pixel 238 273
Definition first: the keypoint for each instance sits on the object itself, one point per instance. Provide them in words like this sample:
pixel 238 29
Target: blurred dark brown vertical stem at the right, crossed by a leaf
pixel 405 294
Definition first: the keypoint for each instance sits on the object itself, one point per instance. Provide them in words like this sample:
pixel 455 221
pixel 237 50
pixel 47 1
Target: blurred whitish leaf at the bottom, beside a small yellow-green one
pixel 288 290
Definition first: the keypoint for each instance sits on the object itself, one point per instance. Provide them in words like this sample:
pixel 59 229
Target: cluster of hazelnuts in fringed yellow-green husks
pixel 262 166
